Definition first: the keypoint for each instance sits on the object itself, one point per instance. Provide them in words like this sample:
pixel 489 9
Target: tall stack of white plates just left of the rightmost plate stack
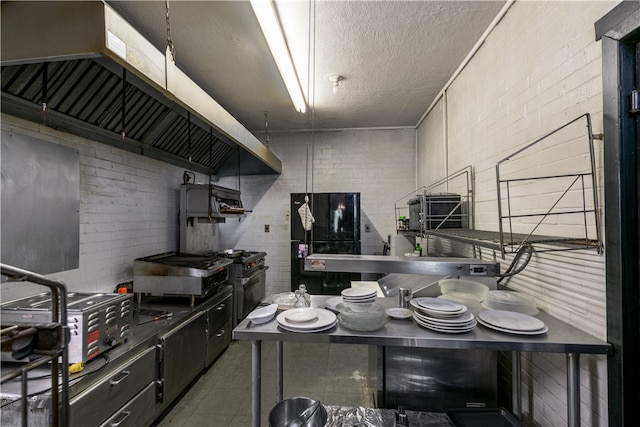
pixel 442 315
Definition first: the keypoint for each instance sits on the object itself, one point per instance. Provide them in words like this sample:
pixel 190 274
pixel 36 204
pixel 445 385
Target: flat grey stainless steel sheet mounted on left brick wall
pixel 40 204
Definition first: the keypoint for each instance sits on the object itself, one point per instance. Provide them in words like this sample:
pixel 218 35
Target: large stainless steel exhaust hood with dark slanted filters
pixel 81 68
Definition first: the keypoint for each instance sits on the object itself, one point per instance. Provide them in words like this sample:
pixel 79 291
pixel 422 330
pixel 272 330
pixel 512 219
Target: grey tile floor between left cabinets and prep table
pixel 335 374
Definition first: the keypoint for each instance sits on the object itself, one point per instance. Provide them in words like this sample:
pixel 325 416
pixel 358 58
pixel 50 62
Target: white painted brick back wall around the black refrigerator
pixel 380 164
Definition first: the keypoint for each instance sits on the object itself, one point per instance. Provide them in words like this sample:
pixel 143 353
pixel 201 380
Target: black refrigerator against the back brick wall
pixel 336 230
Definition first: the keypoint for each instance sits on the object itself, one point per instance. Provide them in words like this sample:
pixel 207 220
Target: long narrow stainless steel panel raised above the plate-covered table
pixel 401 264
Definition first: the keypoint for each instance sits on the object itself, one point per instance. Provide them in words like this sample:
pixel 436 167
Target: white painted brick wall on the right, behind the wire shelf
pixel 538 69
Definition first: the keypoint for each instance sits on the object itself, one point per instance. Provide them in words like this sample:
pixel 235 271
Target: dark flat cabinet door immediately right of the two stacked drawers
pixel 183 356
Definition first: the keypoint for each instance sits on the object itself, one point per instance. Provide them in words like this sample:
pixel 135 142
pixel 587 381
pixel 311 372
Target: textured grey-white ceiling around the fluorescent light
pixel 395 56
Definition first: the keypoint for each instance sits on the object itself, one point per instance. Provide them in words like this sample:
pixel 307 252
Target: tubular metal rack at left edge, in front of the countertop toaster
pixel 49 341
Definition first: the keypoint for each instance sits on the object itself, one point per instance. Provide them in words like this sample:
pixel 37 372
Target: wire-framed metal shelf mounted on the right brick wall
pixel 524 216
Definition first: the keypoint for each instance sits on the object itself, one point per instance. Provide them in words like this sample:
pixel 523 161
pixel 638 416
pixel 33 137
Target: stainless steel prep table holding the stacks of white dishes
pixel 561 338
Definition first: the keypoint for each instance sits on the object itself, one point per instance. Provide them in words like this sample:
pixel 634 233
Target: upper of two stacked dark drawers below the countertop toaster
pixel 97 403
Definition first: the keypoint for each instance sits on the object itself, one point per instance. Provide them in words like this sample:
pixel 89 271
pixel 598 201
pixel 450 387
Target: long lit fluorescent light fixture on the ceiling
pixel 266 14
